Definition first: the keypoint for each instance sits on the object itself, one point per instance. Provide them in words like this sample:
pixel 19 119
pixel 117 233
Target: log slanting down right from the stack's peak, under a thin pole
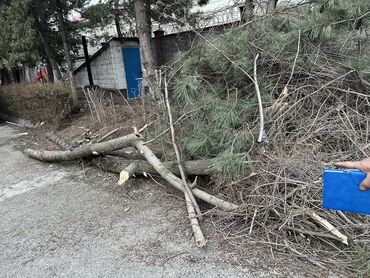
pixel 176 182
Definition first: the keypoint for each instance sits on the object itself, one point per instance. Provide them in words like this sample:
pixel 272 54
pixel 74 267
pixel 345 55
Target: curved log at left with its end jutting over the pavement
pixel 84 151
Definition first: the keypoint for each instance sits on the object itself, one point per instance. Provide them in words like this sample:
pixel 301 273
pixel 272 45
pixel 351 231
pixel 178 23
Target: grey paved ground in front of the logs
pixel 72 220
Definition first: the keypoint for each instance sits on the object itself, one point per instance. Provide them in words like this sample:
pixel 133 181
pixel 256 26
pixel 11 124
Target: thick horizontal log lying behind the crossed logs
pixel 193 168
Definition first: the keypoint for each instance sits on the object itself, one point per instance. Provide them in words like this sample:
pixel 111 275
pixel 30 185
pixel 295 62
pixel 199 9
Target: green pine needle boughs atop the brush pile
pixel 209 80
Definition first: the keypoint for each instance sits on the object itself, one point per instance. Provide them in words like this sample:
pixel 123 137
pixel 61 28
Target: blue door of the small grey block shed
pixel 132 62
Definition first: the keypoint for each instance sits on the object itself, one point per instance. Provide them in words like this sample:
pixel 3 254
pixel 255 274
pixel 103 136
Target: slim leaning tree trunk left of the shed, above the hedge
pixel 67 50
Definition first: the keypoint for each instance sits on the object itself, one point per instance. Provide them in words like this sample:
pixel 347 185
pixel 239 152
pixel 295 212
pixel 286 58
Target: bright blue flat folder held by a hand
pixel 340 191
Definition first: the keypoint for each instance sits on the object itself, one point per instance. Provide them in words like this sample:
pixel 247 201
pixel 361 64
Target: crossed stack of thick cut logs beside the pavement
pixel 112 155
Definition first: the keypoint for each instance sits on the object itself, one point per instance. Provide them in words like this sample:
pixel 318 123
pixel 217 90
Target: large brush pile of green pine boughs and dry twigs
pixel 316 110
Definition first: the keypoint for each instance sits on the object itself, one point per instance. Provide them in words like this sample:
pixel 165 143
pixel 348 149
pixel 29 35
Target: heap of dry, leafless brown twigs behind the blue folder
pixel 318 118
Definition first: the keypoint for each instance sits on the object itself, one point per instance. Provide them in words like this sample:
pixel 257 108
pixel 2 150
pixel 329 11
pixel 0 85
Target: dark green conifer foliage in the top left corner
pixel 22 21
